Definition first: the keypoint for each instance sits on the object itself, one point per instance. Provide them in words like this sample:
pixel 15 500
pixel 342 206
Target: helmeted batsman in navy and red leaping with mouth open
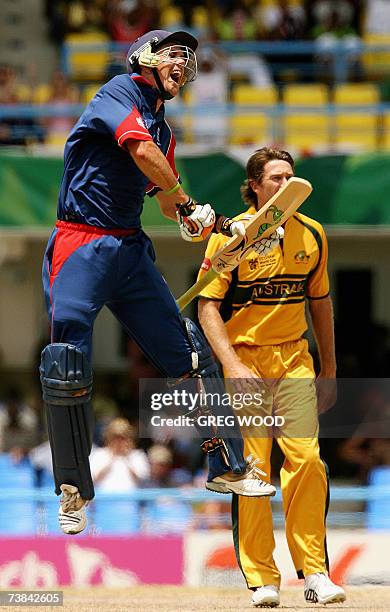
pixel 120 149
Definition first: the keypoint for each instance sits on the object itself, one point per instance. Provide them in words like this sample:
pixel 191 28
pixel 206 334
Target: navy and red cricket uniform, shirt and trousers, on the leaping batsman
pixel 98 254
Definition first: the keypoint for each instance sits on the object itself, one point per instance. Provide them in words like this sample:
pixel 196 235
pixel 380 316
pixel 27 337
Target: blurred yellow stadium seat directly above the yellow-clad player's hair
pixel 250 129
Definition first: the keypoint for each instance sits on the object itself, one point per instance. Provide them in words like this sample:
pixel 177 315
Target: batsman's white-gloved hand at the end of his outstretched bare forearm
pixel 196 220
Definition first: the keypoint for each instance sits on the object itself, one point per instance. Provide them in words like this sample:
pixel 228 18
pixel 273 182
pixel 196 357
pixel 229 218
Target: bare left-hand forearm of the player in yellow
pixel 215 331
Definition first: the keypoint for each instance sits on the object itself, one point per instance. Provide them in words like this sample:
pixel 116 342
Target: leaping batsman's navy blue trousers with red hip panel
pixel 86 268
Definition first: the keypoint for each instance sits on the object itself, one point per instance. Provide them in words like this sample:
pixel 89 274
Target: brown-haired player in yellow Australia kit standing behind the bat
pixel 254 319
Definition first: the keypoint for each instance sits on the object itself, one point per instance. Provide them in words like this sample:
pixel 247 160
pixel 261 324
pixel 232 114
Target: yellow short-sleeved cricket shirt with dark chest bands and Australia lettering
pixel 263 299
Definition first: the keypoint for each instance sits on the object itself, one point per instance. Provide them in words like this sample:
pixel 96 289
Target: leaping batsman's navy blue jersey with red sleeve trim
pixel 101 184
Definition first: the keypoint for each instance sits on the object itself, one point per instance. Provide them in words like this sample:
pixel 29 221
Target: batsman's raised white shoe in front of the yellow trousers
pixel 248 484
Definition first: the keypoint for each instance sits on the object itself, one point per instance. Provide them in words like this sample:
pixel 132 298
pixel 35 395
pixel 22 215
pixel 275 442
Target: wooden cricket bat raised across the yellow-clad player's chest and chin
pixel 274 213
